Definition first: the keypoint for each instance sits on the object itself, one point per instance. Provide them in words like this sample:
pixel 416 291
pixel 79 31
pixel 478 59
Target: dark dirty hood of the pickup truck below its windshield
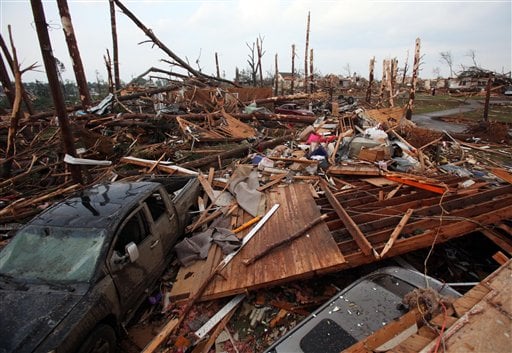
pixel 27 317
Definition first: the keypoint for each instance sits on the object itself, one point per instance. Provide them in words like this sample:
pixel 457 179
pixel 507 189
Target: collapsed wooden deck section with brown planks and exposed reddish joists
pixel 405 217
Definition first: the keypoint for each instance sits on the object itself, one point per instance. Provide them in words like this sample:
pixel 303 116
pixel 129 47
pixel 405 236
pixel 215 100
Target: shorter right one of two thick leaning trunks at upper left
pixel 74 53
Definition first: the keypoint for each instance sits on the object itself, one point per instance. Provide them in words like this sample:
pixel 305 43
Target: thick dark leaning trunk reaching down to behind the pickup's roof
pixel 53 81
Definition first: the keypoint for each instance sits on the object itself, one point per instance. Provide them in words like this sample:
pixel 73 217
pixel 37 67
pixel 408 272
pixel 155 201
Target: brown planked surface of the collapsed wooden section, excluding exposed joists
pixel 314 251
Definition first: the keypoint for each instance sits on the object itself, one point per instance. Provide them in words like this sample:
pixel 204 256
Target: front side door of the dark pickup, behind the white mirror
pixel 133 278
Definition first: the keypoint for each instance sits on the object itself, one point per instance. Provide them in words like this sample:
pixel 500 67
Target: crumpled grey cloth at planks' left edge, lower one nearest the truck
pixel 196 247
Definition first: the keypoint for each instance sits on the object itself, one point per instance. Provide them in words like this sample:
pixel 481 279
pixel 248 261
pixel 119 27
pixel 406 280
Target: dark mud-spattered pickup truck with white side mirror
pixel 75 274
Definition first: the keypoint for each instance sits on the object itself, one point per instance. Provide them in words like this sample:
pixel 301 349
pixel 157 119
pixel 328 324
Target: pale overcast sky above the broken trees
pixel 344 34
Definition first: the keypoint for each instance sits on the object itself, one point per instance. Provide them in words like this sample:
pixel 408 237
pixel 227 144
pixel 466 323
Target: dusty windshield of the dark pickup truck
pixel 52 254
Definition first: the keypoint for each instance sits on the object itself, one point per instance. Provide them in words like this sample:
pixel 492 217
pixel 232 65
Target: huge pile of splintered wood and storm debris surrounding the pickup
pixel 309 195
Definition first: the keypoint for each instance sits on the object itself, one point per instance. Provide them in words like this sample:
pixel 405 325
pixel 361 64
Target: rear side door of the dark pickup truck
pixel 164 217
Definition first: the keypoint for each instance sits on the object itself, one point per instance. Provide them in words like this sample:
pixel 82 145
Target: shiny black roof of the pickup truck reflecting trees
pixel 101 206
